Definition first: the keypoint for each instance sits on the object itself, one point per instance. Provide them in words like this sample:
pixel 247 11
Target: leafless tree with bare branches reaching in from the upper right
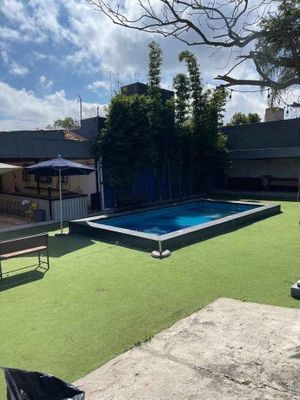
pixel 231 24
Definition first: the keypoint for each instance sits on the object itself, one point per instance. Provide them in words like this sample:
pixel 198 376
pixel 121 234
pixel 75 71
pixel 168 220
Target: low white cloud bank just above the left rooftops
pixel 32 111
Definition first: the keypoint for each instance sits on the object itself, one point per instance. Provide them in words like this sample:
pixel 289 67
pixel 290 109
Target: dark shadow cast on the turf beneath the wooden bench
pixel 12 281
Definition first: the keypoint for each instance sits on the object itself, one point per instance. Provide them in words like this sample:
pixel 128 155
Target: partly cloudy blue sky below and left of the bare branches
pixel 53 51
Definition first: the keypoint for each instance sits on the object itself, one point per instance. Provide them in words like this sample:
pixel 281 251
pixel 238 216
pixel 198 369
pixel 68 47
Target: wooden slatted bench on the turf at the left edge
pixel 24 245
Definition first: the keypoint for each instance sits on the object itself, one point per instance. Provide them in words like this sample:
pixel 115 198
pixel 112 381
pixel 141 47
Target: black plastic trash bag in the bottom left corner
pixel 32 385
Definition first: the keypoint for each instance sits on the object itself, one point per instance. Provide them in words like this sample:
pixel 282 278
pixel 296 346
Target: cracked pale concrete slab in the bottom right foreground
pixel 228 350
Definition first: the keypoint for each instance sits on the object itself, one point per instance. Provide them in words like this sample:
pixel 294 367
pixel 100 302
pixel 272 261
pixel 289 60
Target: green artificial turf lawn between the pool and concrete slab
pixel 97 299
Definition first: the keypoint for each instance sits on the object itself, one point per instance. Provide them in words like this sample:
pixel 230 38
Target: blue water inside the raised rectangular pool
pixel 169 219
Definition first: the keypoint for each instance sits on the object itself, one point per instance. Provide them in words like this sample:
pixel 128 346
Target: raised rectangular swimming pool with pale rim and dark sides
pixel 175 225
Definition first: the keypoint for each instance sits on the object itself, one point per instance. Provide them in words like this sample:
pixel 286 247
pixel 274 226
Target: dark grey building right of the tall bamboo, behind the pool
pixel 264 155
